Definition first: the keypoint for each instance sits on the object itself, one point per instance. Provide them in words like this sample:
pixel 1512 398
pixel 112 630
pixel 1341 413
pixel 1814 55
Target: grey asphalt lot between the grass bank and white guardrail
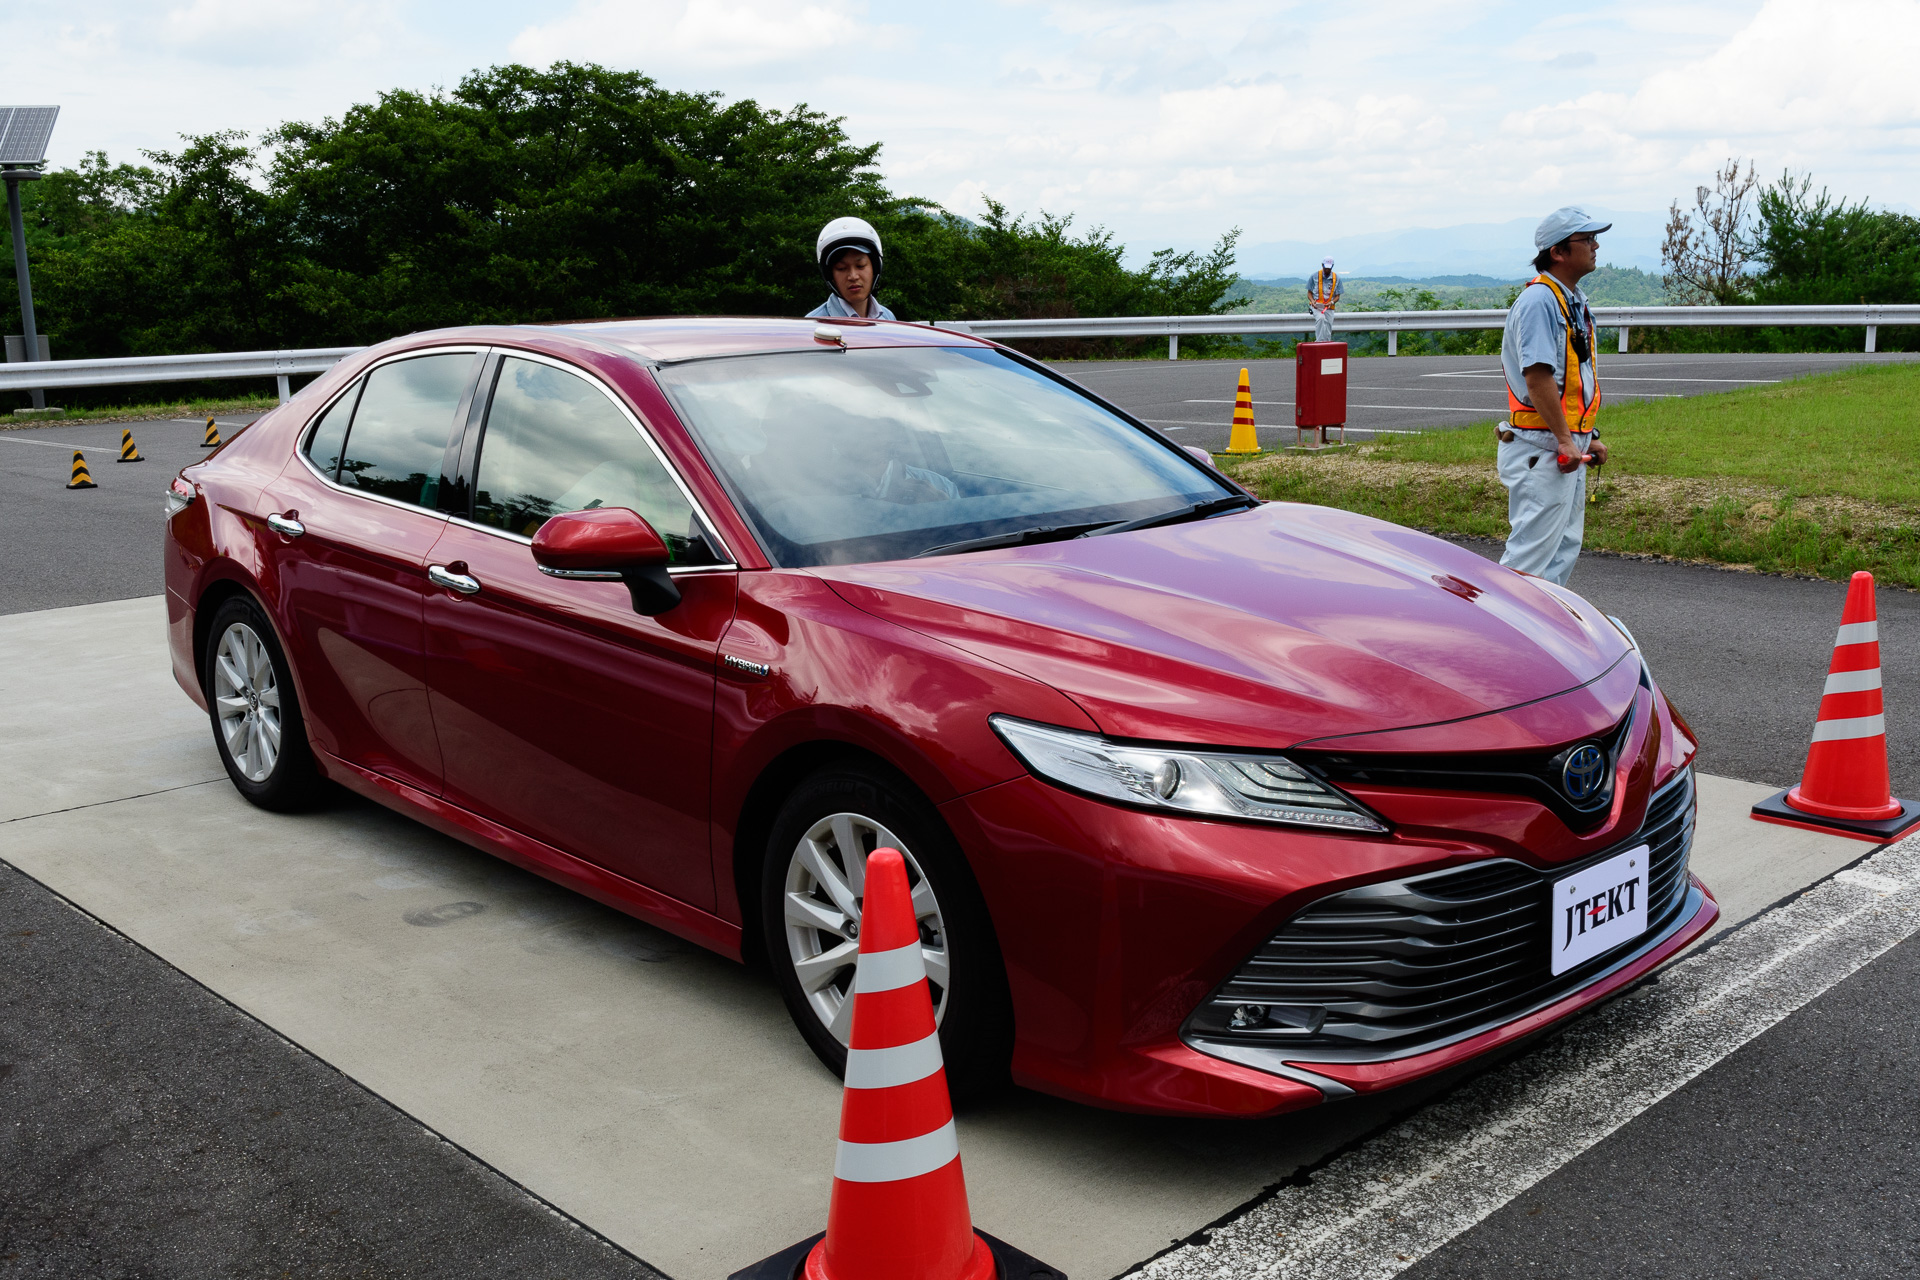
pixel 1193 400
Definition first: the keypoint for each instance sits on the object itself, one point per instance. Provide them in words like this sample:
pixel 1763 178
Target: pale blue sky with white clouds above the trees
pixel 1166 124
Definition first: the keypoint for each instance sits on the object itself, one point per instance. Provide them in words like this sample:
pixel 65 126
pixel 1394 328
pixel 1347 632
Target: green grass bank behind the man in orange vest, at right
pixel 1810 477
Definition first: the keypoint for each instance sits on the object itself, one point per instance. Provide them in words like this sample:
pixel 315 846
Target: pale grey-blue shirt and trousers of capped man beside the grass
pixel 1547 508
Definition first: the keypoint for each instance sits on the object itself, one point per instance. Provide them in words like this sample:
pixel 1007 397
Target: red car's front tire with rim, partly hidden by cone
pixel 811 895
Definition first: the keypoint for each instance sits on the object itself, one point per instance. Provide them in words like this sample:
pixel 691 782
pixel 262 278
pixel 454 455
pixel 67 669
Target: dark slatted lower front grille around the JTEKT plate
pixel 1406 966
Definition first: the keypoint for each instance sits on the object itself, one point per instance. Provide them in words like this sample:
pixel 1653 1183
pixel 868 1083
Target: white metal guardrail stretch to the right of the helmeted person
pixel 1393 323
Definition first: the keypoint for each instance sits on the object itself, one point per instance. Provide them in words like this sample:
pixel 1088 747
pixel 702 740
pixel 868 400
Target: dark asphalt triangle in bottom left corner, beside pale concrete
pixel 149 1129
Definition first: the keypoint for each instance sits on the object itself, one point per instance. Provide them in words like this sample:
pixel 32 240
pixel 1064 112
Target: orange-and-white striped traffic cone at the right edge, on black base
pixel 1846 788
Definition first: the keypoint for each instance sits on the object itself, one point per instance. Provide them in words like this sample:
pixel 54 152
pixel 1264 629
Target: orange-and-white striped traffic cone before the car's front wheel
pixel 900 1198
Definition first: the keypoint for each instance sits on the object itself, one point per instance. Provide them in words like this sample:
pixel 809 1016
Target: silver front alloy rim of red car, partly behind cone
pixel 825 889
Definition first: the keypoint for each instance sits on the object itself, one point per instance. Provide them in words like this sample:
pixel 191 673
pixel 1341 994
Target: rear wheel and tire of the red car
pixel 256 713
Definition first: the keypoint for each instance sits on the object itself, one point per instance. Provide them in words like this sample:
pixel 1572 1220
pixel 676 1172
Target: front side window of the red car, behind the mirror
pixel 556 442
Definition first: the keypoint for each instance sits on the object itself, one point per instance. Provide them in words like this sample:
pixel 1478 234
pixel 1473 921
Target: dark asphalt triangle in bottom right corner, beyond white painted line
pixel 1796 1156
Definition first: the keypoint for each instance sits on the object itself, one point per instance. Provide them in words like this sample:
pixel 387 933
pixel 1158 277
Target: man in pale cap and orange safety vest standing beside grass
pixel 1552 400
